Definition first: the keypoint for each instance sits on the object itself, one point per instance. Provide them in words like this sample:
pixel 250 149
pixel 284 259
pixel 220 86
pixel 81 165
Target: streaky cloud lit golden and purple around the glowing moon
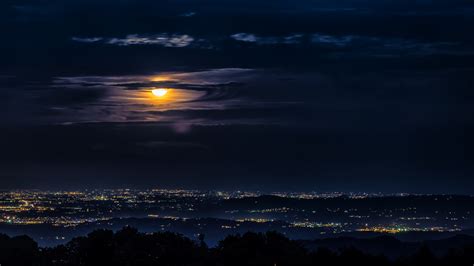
pixel 128 99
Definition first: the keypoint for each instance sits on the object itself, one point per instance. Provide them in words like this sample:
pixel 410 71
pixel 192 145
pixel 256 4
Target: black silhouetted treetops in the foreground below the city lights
pixel 129 247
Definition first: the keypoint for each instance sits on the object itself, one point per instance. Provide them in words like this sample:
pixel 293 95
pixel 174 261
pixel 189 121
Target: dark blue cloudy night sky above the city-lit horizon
pixel 323 95
